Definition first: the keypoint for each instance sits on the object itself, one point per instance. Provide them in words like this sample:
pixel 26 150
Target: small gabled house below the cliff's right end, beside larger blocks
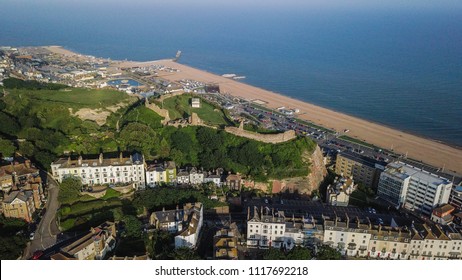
pixel 338 193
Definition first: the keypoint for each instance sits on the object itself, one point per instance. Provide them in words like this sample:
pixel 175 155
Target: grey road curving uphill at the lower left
pixel 47 230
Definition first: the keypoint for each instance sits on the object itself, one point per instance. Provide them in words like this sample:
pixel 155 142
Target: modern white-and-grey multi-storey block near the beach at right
pixel 406 186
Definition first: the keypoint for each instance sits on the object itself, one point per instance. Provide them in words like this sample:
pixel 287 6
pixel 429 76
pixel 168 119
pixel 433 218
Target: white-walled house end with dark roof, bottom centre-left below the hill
pixel 193 220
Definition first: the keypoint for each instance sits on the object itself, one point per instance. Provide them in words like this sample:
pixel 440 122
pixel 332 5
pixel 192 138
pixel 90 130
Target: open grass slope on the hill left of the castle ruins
pixel 74 97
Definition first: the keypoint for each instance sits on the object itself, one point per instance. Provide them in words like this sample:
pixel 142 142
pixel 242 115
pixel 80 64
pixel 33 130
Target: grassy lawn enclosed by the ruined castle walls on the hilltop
pixel 180 107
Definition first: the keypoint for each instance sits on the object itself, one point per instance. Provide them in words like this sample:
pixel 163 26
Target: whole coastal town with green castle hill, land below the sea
pixel 179 165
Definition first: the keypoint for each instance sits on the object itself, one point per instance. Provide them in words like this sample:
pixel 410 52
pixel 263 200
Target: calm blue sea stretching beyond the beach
pixel 392 64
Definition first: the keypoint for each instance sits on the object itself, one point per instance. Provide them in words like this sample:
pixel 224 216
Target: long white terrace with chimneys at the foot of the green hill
pixel 104 169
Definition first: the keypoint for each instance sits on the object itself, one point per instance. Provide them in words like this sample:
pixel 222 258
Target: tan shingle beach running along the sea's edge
pixel 427 150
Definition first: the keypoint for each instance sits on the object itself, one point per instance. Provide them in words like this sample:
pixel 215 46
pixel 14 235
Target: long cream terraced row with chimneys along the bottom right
pixel 358 238
